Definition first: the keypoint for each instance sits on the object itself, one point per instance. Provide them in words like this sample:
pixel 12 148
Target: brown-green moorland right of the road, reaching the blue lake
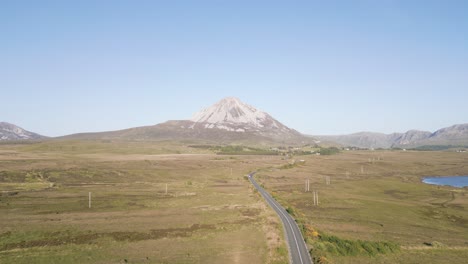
pixel 377 196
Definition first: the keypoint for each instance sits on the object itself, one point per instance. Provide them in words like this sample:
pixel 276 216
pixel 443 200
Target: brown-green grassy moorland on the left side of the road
pixel 209 214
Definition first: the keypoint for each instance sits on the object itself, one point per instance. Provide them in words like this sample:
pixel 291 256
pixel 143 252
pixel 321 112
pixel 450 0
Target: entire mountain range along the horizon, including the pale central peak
pixel 232 121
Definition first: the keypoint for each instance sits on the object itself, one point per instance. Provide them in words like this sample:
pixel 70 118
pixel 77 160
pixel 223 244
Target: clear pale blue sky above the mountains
pixel 321 67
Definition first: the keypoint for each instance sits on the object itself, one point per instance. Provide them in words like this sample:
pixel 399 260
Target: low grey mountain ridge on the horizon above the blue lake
pixel 456 135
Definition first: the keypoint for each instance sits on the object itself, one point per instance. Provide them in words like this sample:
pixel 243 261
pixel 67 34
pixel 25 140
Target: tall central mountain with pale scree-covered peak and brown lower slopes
pixel 228 121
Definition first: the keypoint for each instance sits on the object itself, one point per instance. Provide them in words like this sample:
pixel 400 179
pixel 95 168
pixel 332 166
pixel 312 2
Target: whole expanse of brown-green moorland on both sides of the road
pixel 375 209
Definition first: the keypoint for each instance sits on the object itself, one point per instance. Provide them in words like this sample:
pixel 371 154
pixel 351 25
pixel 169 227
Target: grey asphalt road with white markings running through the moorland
pixel 297 248
